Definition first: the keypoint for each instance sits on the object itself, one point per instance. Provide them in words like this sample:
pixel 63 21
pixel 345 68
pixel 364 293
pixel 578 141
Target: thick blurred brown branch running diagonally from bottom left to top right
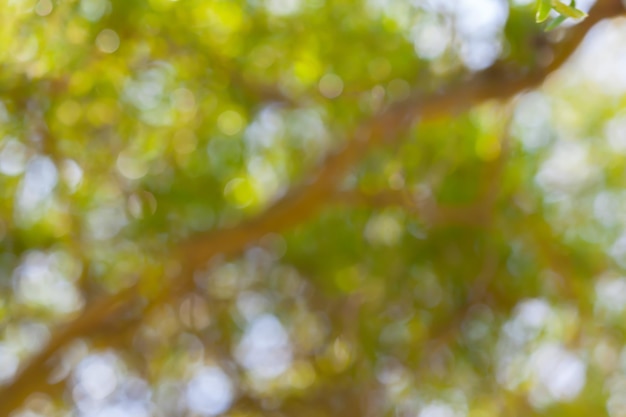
pixel 496 83
